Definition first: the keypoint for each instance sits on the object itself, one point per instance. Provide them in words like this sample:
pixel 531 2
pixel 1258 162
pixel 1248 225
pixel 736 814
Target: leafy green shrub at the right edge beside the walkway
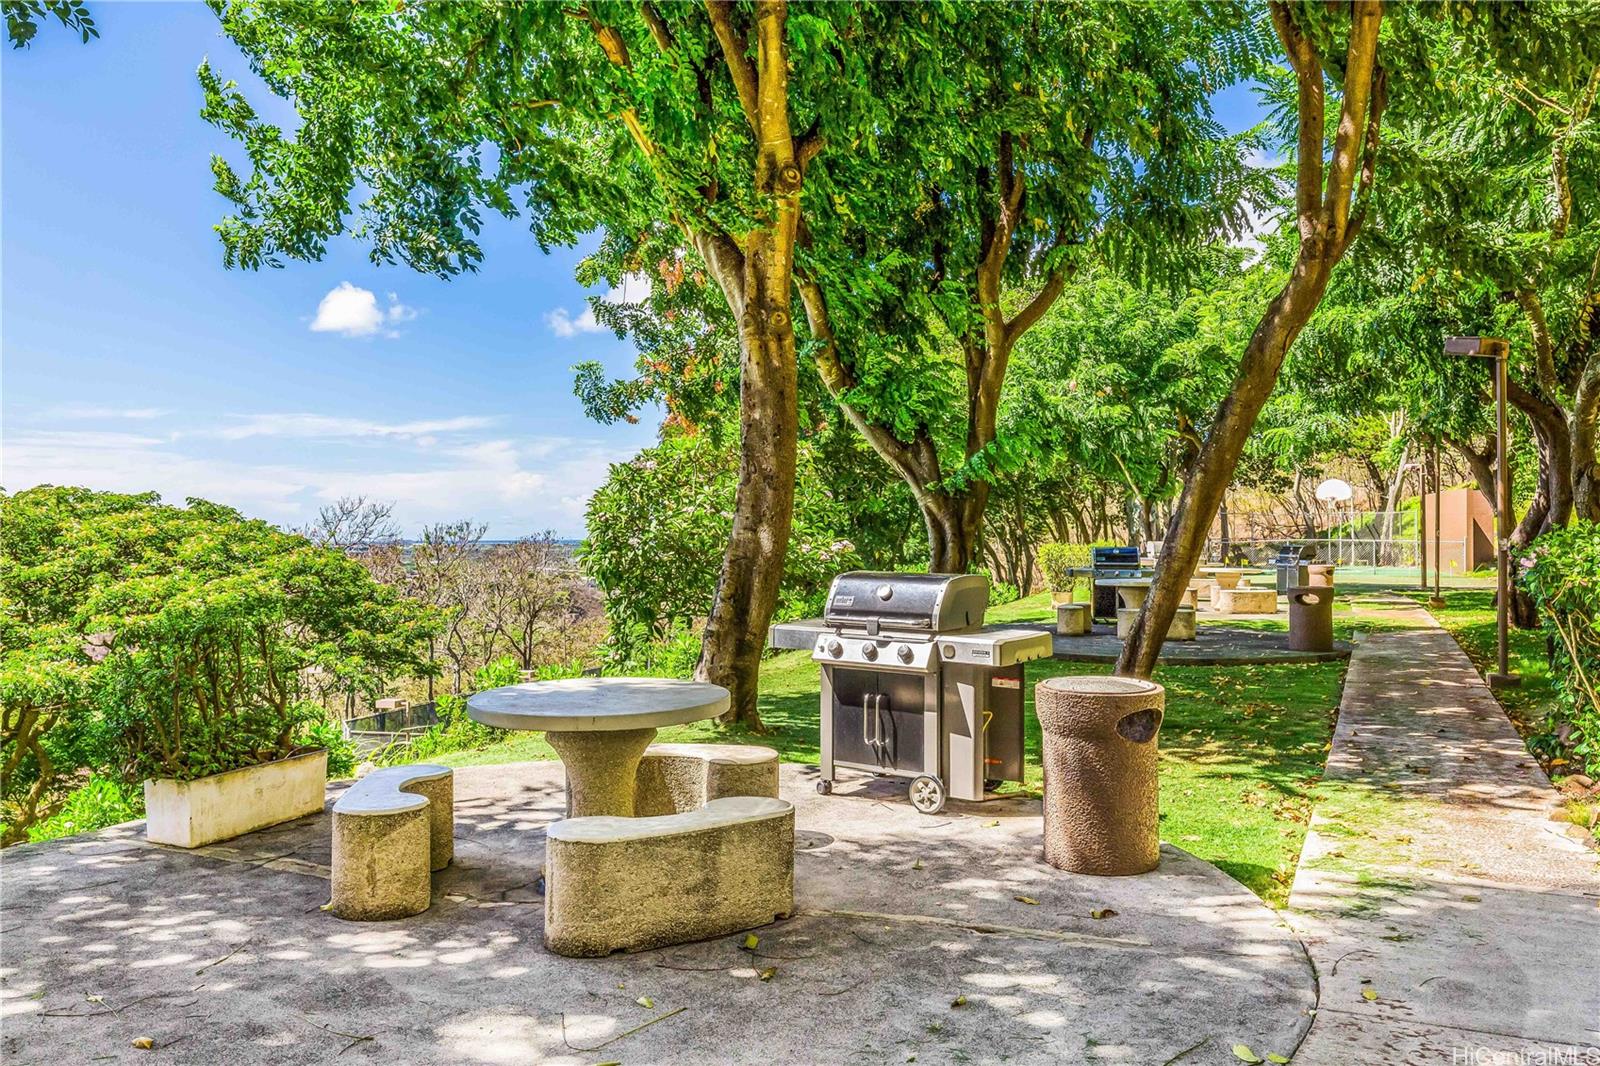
pixel 1562 575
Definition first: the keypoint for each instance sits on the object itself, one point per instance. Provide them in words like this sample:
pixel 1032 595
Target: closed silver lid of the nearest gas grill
pixel 929 603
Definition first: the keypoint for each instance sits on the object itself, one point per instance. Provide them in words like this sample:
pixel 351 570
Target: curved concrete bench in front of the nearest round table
pixel 626 884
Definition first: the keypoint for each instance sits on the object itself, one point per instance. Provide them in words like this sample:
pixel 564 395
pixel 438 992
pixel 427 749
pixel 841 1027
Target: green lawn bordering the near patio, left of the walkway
pixel 1242 751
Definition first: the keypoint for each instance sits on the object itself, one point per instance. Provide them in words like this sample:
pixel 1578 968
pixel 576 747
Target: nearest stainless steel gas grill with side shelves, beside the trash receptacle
pixel 914 686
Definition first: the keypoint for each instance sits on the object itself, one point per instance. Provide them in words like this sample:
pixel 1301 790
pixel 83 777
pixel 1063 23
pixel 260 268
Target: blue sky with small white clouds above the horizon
pixel 134 361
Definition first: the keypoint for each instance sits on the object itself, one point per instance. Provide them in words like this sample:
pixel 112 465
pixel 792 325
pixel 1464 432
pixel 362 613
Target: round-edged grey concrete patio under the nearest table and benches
pixel 919 939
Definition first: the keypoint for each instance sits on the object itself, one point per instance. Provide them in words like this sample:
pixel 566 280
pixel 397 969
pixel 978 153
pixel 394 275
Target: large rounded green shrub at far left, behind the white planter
pixel 153 641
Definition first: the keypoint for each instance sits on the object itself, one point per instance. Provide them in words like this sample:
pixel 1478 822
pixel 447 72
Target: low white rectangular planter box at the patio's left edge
pixel 225 806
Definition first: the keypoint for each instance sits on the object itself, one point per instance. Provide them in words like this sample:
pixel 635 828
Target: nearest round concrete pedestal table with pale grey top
pixel 601 727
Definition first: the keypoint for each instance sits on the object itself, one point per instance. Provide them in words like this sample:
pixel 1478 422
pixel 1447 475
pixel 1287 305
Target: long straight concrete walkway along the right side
pixel 1449 920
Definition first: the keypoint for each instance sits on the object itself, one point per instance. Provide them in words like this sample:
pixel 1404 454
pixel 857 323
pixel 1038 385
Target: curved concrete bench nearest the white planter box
pixel 391 830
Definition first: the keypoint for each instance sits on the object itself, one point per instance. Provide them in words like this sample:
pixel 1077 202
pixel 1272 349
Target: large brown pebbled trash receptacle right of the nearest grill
pixel 1102 783
